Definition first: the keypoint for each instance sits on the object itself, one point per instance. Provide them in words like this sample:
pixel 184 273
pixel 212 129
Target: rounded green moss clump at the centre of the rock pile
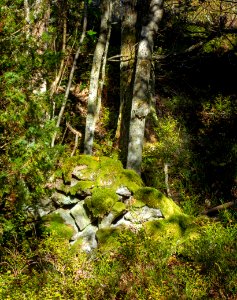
pixel 101 201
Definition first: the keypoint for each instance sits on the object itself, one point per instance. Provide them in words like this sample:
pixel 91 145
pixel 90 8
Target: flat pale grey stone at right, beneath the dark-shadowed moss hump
pixel 143 214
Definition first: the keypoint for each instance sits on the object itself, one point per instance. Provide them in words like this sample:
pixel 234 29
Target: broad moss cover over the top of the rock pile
pixel 101 171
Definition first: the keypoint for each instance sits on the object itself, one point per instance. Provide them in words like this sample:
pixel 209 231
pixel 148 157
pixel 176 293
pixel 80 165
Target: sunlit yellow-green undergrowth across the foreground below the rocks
pixel 136 268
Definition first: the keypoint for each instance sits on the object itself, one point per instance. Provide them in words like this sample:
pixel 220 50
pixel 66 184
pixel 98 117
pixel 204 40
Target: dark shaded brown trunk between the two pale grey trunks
pixel 127 66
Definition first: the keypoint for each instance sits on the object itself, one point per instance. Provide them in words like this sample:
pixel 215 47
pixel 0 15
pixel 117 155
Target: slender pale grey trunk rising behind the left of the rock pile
pixel 93 105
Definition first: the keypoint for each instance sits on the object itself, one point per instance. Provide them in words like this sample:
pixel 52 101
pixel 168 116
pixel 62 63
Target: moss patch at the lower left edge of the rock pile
pixel 55 224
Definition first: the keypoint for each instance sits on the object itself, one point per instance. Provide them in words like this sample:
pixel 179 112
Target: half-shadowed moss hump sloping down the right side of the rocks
pixel 154 198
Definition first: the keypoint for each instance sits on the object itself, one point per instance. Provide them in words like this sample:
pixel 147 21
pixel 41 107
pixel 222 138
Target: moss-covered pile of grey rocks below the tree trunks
pixel 92 194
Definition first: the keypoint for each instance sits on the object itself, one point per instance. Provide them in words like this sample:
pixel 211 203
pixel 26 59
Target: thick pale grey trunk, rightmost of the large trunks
pixel 141 91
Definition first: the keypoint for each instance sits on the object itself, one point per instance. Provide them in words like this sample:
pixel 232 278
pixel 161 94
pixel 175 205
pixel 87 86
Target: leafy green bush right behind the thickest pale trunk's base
pixel 171 148
